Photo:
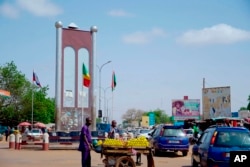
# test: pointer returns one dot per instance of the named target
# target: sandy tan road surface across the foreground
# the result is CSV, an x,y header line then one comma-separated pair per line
x,y
72,158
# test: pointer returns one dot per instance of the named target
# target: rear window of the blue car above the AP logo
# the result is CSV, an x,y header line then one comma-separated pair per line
x,y
233,139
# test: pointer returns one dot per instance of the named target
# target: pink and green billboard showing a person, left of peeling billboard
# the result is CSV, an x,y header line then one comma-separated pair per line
x,y
186,109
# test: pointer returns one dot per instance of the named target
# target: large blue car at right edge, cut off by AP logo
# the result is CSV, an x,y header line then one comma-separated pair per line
x,y
215,143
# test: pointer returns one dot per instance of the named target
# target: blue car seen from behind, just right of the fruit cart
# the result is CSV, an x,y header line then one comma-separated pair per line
x,y
166,138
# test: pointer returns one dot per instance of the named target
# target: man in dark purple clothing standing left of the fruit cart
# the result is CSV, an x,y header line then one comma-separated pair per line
x,y
85,145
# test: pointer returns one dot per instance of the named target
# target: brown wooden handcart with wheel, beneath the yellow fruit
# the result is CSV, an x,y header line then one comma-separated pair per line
x,y
115,156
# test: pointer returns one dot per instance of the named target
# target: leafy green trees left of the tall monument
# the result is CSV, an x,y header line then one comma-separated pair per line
x,y
18,107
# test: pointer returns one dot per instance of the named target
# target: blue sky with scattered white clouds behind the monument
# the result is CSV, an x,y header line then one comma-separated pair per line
x,y
160,50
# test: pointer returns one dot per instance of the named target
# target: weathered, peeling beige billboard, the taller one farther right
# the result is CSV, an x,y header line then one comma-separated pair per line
x,y
216,102
